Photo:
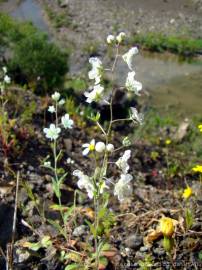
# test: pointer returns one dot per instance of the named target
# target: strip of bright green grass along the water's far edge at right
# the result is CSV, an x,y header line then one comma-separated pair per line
x,y
176,44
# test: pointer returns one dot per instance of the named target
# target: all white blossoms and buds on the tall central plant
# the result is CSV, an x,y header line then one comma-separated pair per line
x,y
122,187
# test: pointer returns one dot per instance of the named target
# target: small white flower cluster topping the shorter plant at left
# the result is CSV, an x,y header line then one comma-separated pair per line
x,y
54,130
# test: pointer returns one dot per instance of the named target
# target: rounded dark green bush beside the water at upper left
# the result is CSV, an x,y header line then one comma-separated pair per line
x,y
43,64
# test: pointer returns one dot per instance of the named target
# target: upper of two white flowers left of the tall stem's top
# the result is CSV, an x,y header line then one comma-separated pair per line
x,y
97,68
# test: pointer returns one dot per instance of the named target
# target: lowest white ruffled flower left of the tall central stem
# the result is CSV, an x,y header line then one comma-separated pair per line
x,y
84,182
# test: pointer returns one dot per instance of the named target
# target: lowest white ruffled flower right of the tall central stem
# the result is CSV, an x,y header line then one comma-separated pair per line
x,y
122,188
